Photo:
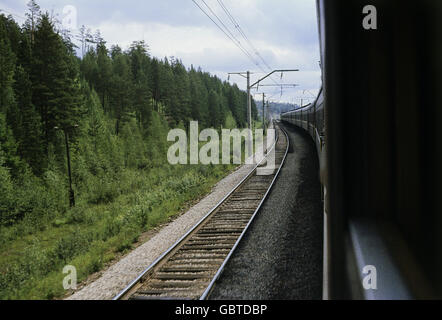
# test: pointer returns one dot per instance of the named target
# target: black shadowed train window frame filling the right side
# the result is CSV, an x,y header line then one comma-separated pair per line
x,y
383,100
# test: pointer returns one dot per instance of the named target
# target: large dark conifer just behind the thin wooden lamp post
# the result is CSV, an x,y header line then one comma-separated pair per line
x,y
55,82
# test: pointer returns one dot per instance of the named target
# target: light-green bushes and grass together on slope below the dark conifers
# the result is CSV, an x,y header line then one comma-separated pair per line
x,y
124,187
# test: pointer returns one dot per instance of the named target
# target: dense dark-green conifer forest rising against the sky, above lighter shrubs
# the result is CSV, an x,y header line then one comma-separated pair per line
x,y
47,89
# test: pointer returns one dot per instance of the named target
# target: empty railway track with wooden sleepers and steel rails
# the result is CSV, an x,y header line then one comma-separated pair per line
x,y
190,268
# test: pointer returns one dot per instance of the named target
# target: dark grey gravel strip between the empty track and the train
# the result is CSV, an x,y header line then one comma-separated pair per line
x,y
280,256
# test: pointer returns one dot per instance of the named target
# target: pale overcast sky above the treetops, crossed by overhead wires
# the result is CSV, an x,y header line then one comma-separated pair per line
x,y
283,31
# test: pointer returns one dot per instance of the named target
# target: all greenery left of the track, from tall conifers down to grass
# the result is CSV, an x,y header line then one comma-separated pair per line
x,y
113,108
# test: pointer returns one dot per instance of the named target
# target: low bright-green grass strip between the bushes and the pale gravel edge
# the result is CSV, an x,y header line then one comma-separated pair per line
x,y
91,235
